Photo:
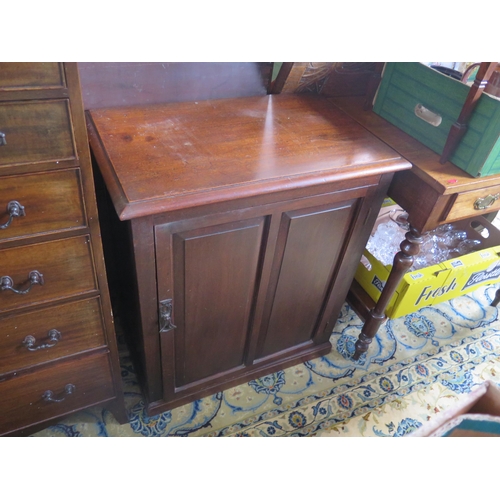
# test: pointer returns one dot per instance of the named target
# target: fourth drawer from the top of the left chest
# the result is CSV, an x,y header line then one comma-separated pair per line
x,y
66,266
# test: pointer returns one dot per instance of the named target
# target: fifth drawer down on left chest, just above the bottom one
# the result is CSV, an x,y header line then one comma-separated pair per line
x,y
56,332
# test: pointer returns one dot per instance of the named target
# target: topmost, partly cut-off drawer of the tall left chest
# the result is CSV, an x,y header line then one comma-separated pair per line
x,y
31,76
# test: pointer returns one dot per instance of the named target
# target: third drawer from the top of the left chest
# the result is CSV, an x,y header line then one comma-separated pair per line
x,y
50,201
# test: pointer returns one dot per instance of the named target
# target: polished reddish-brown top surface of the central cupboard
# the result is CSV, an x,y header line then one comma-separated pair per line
x,y
171,156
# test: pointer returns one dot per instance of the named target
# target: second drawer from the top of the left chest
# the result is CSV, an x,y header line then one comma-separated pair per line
x,y
35,131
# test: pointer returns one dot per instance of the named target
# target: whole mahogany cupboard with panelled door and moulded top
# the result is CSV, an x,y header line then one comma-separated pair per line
x,y
246,220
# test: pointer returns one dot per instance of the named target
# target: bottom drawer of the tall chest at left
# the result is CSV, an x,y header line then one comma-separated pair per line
x,y
23,401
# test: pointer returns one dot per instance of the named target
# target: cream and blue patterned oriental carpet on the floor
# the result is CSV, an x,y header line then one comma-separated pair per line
x,y
417,366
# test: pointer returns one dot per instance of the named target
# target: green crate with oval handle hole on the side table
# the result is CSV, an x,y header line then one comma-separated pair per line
x,y
405,86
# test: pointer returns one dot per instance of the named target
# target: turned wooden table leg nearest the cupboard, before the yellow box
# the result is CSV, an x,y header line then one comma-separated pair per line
x,y
403,260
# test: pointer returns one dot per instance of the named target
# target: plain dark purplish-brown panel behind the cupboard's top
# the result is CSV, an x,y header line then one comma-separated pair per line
x,y
110,84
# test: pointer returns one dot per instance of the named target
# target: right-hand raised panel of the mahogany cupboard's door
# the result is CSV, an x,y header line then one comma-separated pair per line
x,y
309,244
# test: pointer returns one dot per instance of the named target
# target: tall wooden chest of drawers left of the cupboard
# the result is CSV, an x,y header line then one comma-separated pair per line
x,y
58,351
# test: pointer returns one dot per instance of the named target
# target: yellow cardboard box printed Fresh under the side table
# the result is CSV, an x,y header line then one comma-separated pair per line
x,y
437,283
